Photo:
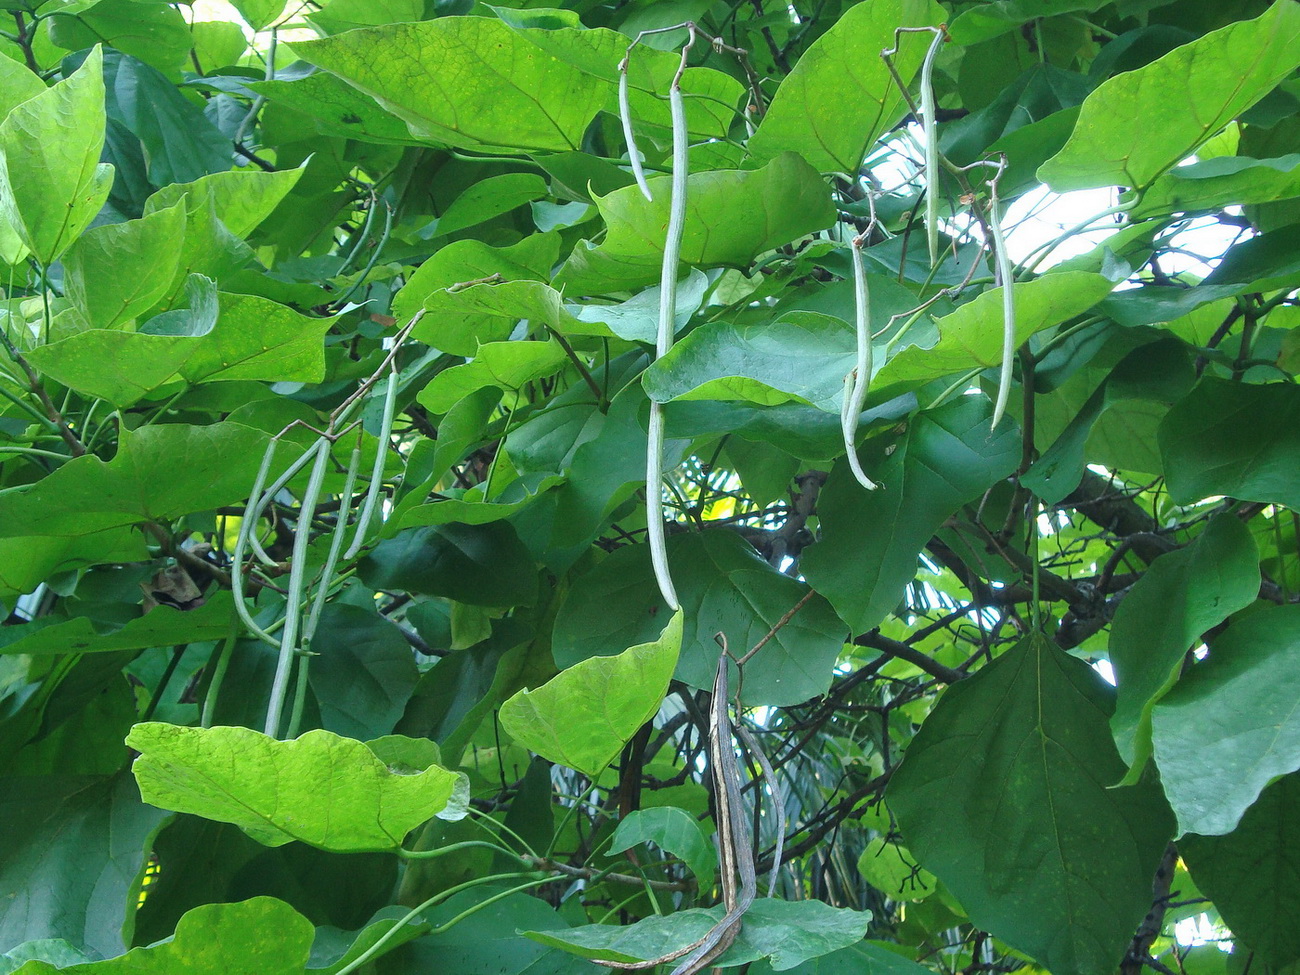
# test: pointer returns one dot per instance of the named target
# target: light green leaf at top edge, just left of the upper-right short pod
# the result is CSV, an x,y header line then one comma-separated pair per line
x,y
811,112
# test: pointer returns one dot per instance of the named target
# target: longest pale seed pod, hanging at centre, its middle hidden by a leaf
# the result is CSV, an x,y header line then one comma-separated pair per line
x,y
668,324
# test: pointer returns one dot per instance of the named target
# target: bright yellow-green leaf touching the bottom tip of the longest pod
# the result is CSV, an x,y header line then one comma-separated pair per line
x,y
584,717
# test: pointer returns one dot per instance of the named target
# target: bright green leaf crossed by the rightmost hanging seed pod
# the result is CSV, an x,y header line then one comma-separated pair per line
x,y
972,336
